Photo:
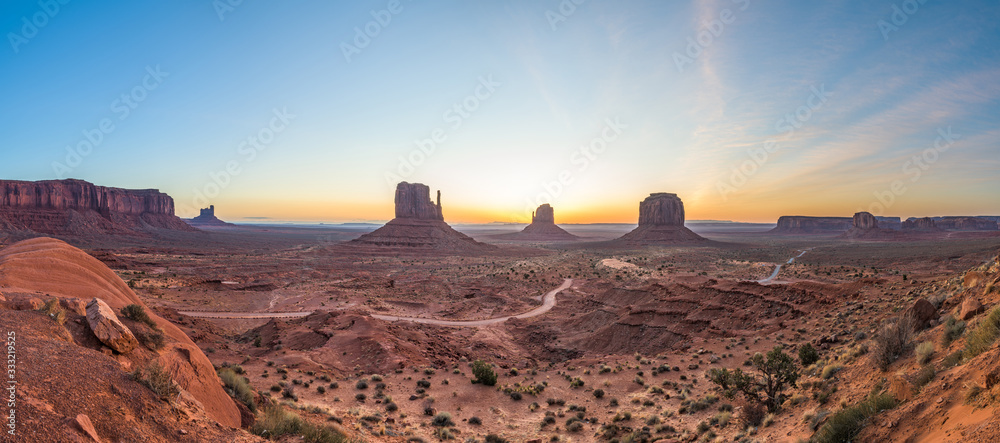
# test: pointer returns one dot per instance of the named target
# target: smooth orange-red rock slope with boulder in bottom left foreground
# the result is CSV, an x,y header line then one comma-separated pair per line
x,y
59,312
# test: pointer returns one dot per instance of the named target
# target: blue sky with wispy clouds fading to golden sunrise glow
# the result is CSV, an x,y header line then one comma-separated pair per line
x,y
313,110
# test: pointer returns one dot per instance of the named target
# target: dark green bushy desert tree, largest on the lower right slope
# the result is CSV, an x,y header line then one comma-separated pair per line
x,y
777,372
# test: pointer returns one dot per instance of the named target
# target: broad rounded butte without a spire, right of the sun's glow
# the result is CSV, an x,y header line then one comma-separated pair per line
x,y
661,221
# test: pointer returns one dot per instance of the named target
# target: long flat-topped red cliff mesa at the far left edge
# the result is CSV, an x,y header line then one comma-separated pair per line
x,y
75,207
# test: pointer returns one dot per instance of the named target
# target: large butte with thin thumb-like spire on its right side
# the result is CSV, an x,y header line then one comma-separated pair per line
x,y
419,224
